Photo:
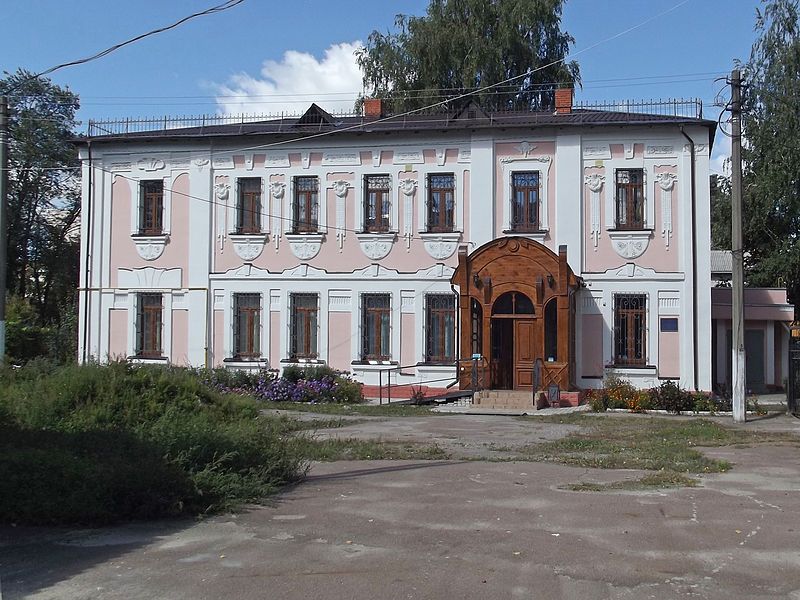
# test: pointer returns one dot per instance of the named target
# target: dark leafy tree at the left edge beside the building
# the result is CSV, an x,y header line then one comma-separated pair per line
x,y
43,193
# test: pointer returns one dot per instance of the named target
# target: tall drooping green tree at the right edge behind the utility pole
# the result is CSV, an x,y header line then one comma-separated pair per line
x,y
771,152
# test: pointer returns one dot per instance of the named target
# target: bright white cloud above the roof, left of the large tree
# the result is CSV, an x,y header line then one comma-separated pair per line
x,y
293,83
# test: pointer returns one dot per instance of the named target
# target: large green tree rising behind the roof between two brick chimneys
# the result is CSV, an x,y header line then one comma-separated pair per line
x,y
468,44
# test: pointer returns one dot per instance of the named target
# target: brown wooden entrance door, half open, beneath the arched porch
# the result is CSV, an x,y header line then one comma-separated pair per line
x,y
514,343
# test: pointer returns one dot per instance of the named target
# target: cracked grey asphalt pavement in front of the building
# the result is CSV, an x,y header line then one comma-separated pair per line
x,y
449,529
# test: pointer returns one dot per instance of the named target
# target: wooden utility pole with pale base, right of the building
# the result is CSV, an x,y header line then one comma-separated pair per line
x,y
737,316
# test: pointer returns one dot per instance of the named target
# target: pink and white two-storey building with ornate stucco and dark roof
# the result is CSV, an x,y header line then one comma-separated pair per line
x,y
257,245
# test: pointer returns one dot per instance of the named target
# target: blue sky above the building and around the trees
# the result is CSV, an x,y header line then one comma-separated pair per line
x,y
178,72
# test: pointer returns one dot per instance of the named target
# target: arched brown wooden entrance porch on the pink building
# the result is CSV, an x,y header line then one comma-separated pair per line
x,y
516,305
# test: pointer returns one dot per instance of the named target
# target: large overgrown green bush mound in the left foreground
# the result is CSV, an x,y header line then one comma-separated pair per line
x,y
123,441
